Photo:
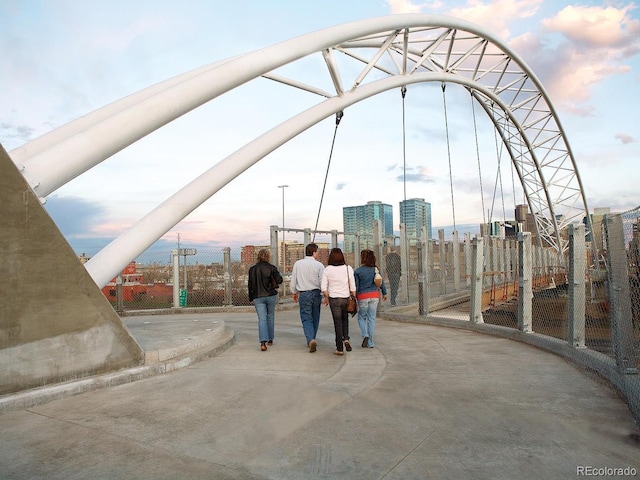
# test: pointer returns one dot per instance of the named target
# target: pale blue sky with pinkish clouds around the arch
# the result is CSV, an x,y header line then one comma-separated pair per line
x,y
63,59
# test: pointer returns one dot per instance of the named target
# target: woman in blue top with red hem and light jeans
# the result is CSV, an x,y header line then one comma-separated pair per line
x,y
368,293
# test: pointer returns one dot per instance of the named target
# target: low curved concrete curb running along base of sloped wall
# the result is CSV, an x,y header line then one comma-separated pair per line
x,y
157,362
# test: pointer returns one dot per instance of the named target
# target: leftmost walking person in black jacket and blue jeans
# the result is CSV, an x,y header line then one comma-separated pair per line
x,y
264,279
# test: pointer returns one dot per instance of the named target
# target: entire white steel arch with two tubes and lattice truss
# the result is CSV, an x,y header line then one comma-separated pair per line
x,y
390,52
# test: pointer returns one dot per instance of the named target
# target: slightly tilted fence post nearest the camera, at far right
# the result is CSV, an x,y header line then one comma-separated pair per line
x,y
619,293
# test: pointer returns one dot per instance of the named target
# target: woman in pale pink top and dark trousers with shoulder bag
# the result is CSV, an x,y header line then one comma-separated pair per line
x,y
337,285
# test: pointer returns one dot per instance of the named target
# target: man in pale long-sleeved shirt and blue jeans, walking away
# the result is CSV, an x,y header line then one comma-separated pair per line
x,y
306,278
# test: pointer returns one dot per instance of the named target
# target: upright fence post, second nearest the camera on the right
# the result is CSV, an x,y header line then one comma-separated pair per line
x,y
576,288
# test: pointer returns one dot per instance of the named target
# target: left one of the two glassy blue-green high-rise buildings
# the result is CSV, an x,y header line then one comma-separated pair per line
x,y
359,220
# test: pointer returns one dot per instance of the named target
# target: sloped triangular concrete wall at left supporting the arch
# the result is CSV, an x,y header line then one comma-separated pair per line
x,y
55,323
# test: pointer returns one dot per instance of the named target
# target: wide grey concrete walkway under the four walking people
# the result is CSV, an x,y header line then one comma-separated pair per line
x,y
427,402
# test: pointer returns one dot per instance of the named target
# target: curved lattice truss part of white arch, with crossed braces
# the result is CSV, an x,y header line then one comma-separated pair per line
x,y
509,93
